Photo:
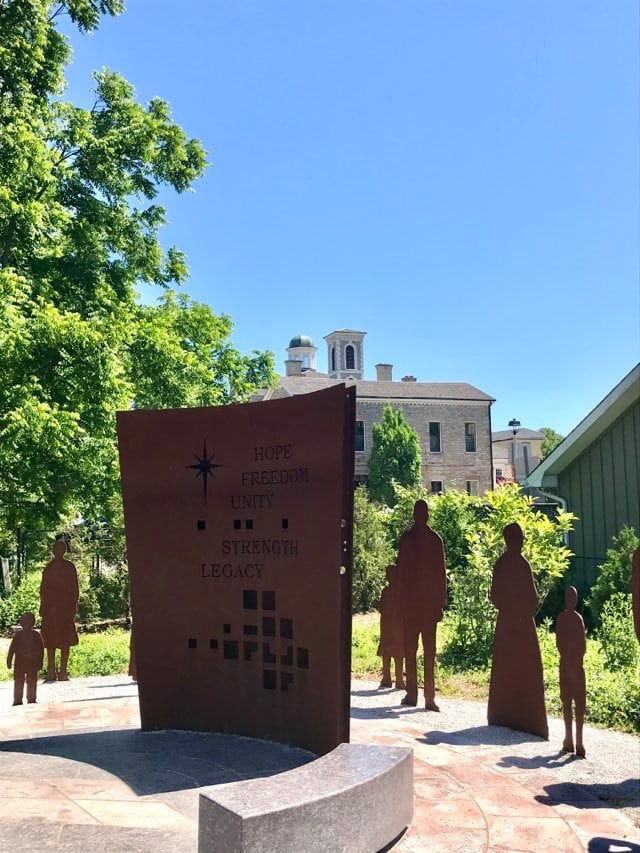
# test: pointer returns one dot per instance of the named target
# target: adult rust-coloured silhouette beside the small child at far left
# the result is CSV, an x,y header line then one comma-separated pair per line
x,y
59,595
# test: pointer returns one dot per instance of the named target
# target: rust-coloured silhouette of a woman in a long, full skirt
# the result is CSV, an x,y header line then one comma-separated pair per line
x,y
516,691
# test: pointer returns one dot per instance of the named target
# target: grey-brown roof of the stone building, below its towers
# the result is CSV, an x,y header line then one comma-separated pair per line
x,y
383,390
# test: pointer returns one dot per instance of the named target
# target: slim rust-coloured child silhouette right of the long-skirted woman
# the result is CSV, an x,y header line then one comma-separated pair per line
x,y
572,644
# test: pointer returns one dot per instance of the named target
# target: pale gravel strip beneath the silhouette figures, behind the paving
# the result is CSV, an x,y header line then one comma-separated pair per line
x,y
611,770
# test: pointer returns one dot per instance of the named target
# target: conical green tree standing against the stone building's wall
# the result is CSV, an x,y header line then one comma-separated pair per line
x,y
395,456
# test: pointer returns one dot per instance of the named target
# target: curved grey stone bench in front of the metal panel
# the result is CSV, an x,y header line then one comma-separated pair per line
x,y
357,799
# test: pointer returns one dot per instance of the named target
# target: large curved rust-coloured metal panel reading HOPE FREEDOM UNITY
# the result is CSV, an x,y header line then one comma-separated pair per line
x,y
238,522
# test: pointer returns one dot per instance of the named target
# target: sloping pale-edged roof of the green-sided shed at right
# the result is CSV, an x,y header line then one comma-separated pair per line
x,y
615,404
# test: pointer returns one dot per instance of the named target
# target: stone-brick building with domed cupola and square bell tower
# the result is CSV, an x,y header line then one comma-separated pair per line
x,y
452,419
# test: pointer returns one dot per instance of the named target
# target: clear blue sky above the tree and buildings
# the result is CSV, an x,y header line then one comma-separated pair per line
x,y
458,179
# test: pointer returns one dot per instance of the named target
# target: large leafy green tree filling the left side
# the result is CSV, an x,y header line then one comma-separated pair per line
x,y
79,232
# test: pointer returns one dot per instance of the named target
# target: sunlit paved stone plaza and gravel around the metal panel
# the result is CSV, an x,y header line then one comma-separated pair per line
x,y
76,774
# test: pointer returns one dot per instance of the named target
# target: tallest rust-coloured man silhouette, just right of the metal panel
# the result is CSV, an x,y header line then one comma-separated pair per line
x,y
423,595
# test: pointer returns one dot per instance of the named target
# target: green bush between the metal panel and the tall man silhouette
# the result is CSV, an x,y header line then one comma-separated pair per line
x,y
372,552
